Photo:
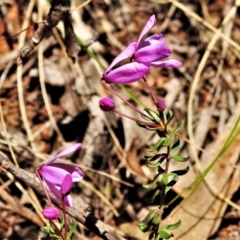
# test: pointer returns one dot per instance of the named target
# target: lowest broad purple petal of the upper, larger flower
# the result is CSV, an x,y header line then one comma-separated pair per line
x,y
127,73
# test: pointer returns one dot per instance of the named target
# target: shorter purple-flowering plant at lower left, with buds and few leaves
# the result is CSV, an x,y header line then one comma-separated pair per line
x,y
59,178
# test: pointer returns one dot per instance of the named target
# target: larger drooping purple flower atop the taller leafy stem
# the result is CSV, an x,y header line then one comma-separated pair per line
x,y
146,53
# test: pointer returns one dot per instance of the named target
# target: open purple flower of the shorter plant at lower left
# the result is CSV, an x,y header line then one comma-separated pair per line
x,y
54,174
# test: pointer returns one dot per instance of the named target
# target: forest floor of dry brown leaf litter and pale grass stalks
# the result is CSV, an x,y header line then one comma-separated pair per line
x,y
48,102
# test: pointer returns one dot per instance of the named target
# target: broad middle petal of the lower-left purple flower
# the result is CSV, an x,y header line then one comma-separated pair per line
x,y
56,172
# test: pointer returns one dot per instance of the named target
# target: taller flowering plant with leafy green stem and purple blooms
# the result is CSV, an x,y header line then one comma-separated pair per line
x,y
151,52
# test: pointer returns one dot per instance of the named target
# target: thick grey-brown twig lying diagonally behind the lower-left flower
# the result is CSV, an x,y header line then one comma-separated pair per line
x,y
79,213
